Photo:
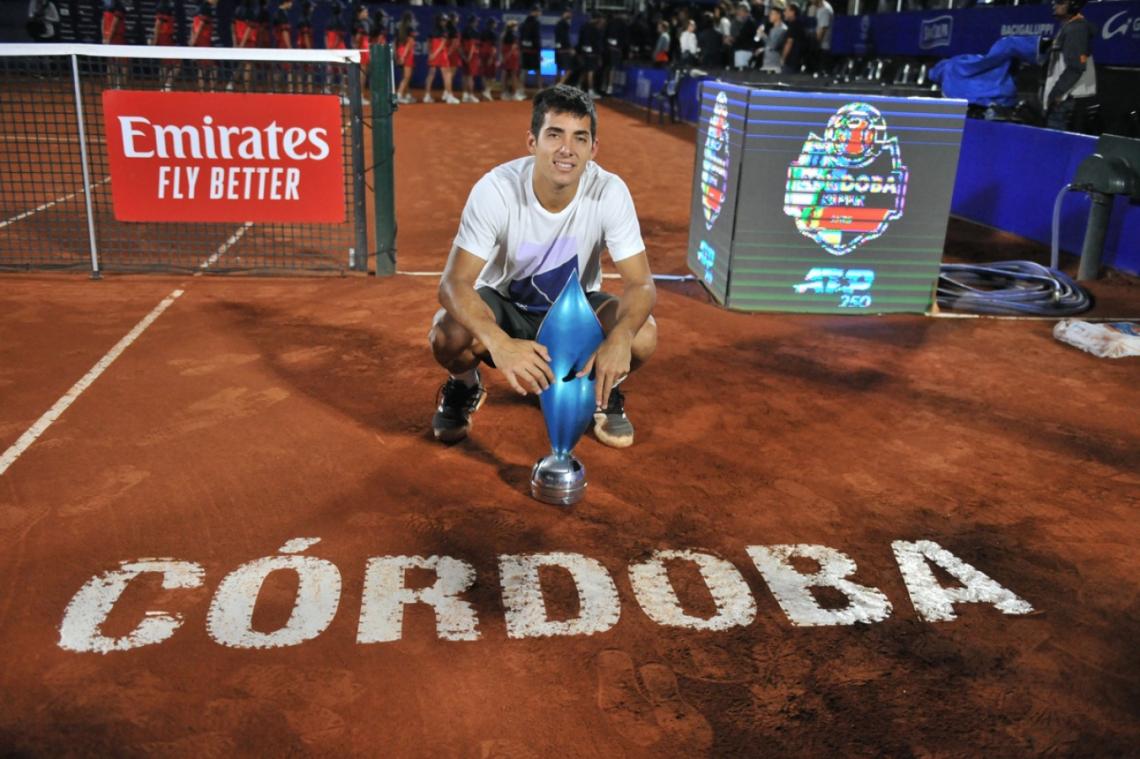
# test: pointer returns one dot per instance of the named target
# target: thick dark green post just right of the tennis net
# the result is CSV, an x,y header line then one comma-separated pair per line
x,y
384,151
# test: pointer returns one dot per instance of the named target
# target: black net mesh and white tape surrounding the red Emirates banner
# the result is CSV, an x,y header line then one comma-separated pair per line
x,y
55,181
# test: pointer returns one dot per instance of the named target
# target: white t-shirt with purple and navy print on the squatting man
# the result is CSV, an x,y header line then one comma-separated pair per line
x,y
531,252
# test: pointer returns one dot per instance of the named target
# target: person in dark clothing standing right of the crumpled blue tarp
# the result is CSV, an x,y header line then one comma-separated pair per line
x,y
1071,77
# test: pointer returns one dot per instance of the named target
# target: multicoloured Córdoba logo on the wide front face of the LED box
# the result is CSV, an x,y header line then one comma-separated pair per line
x,y
846,187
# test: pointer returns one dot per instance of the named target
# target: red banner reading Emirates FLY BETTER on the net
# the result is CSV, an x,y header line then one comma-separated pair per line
x,y
203,157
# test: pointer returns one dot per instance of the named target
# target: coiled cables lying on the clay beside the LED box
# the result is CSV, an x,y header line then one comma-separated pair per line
x,y
1011,288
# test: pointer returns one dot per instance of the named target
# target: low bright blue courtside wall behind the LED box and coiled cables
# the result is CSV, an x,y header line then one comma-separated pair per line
x,y
1008,177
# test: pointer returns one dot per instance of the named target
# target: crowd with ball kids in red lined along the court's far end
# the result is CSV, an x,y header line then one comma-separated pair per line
x,y
473,59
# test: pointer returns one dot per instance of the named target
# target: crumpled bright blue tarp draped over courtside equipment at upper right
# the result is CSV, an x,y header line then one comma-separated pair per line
x,y
987,80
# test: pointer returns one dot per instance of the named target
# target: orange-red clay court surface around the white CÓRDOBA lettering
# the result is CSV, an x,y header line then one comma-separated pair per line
x,y
258,411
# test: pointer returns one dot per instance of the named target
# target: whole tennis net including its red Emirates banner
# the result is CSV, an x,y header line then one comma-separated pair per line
x,y
129,159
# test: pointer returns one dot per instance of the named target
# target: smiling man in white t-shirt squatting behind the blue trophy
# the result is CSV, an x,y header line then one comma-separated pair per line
x,y
528,227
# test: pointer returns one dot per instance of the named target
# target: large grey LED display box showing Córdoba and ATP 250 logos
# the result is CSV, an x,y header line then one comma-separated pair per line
x,y
826,203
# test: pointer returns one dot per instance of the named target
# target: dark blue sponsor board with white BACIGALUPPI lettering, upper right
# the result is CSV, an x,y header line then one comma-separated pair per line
x,y
948,34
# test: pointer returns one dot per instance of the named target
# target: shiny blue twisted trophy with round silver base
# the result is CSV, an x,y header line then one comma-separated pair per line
x,y
572,333
